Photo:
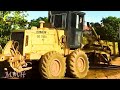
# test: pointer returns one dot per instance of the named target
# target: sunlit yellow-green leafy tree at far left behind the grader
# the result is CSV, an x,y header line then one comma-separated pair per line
x,y
10,20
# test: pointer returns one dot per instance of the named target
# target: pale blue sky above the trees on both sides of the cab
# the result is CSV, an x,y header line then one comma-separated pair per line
x,y
91,16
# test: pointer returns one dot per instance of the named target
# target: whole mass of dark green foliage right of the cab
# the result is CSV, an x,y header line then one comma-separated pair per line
x,y
109,28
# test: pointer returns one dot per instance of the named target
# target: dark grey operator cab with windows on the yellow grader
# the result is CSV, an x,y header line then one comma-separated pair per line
x,y
72,22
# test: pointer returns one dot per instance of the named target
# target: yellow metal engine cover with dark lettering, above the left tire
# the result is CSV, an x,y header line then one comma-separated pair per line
x,y
41,41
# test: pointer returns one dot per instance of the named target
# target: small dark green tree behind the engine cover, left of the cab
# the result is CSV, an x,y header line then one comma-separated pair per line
x,y
35,22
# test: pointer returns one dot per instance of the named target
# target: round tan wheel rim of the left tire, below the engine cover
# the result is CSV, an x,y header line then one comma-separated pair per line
x,y
55,67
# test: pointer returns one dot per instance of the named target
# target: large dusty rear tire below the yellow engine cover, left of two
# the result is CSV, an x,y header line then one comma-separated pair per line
x,y
52,66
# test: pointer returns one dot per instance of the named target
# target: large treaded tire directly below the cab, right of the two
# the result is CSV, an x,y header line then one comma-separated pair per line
x,y
77,64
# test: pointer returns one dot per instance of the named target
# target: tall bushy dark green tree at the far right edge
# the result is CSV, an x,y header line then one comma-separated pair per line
x,y
111,27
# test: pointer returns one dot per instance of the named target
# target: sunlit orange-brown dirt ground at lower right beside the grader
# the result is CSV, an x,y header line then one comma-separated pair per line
x,y
105,73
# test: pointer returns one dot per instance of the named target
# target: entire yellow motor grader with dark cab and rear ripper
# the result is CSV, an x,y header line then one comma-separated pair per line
x,y
57,49
